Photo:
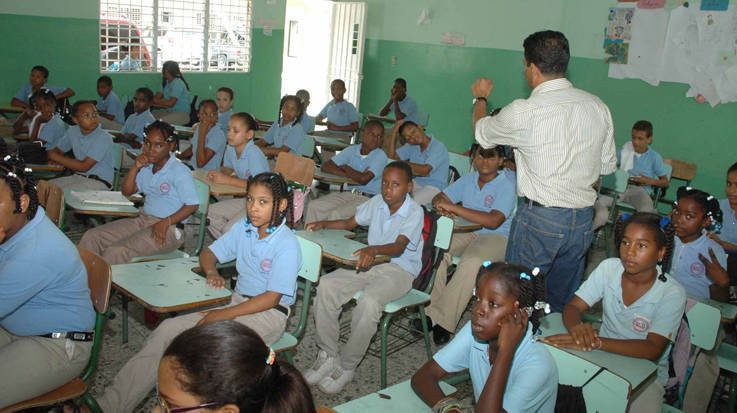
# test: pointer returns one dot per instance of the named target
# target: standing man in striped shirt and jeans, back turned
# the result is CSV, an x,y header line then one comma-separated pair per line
x,y
563,140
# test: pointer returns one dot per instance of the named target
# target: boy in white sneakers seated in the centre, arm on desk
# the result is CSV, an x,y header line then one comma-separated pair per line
x,y
395,229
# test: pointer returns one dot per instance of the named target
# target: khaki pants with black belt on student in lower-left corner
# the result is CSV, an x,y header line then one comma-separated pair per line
x,y
33,366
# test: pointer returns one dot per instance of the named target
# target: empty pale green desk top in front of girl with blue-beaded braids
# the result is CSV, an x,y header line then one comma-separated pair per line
x,y
166,286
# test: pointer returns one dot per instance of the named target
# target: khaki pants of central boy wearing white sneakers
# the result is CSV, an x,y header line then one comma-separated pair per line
x,y
380,284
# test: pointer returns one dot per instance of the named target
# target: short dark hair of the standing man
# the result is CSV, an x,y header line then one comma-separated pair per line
x,y
548,50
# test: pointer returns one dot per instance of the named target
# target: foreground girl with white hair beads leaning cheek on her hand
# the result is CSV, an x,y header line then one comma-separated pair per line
x,y
510,370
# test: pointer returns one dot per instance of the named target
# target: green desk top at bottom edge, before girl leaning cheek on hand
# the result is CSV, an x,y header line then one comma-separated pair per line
x,y
401,399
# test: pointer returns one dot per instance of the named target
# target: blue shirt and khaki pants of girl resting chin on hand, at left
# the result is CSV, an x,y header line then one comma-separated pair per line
x,y
166,192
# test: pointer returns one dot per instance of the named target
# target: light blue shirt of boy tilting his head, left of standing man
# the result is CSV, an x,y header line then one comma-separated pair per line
x,y
435,155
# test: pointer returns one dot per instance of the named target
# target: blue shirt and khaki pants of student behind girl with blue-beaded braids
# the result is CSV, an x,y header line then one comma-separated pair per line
x,y
251,162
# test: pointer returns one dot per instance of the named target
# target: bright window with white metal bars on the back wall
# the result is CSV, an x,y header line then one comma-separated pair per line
x,y
200,35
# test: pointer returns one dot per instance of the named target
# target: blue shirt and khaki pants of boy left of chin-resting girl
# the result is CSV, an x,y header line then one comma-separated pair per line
x,y
98,145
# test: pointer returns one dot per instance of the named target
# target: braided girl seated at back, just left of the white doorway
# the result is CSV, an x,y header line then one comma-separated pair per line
x,y
286,133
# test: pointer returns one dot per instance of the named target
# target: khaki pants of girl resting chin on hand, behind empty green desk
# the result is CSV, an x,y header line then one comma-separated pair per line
x,y
121,240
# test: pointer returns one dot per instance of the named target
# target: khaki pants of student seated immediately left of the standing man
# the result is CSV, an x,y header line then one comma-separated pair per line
x,y
449,299
